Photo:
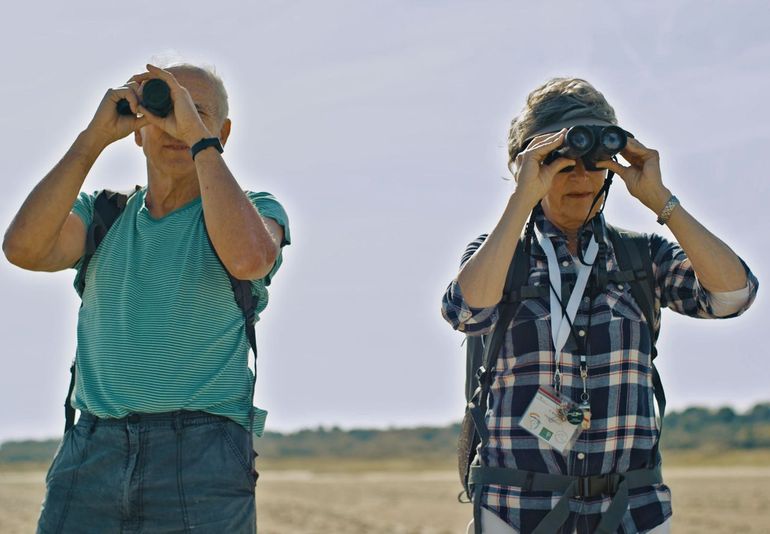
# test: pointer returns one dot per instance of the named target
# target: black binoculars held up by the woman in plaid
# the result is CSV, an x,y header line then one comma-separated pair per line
x,y
591,143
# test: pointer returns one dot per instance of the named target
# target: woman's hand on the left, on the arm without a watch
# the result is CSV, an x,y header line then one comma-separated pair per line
x,y
533,179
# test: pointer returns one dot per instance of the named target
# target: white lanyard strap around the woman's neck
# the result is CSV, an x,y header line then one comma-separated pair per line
x,y
562,317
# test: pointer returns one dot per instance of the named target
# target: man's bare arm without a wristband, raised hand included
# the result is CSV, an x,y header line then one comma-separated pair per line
x,y
44,235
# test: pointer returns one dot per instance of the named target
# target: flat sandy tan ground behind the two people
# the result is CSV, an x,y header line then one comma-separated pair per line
x,y
712,500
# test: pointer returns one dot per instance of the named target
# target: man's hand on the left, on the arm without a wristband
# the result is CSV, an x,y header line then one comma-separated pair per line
x,y
108,125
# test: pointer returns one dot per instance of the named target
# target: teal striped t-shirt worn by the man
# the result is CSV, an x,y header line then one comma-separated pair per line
x,y
159,329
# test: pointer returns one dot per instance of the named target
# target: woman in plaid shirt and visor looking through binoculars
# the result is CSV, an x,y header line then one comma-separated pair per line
x,y
568,430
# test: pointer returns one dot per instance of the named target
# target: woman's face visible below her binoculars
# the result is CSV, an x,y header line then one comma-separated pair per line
x,y
569,199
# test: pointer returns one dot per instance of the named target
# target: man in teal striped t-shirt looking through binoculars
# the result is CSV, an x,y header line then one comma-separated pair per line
x,y
174,283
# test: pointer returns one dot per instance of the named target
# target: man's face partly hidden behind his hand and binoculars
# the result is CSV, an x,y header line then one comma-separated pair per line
x,y
168,155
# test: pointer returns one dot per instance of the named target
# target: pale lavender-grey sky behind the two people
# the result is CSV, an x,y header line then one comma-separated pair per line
x,y
381,127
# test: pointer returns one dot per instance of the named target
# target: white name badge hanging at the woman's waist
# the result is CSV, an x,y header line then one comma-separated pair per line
x,y
553,419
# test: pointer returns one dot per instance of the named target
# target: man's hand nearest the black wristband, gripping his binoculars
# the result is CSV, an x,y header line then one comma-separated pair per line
x,y
184,123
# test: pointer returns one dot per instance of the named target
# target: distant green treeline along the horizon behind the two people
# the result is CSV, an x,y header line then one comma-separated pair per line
x,y
692,429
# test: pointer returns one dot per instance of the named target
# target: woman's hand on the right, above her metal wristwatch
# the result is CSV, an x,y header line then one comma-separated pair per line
x,y
642,176
